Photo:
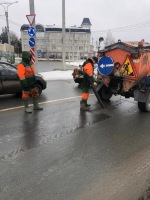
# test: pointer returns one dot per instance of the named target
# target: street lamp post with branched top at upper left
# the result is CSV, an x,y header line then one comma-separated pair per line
x,y
6,14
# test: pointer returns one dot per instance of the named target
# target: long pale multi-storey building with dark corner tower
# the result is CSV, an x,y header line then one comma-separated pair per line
x,y
49,40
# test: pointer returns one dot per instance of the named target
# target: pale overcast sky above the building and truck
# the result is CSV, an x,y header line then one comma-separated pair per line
x,y
128,20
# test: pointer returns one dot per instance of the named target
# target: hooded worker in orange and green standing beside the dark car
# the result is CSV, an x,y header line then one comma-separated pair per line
x,y
26,75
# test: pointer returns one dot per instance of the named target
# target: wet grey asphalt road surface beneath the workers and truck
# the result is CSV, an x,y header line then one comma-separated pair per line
x,y
61,153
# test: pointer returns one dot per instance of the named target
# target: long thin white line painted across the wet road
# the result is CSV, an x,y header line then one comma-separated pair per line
x,y
45,102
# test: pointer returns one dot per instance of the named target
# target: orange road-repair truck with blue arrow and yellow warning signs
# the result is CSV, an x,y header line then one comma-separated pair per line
x,y
125,70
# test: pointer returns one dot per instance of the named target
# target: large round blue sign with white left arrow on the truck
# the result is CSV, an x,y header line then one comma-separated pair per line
x,y
105,65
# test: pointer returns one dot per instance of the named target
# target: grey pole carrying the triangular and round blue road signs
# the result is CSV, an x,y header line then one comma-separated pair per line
x,y
32,12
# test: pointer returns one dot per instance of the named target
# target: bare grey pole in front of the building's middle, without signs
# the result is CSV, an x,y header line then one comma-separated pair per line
x,y
63,34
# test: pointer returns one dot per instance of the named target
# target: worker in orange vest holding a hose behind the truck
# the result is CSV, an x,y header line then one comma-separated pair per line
x,y
88,68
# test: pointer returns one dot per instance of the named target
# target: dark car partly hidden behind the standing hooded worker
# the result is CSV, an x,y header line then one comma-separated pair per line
x,y
9,80
